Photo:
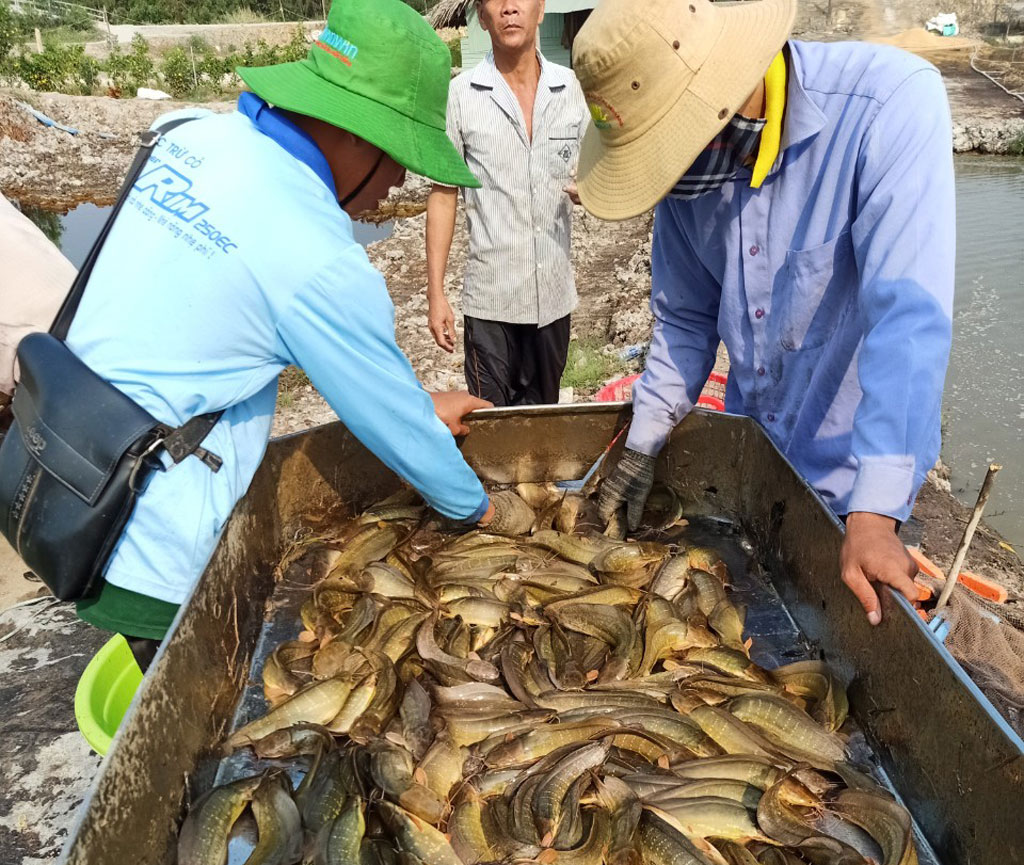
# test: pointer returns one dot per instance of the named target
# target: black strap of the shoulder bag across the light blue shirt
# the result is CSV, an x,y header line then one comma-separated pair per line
x,y
185,441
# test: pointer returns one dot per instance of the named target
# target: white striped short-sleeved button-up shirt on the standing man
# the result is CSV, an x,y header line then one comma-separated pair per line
x,y
521,222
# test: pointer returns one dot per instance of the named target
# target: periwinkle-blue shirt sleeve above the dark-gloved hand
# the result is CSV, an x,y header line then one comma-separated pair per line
x,y
685,300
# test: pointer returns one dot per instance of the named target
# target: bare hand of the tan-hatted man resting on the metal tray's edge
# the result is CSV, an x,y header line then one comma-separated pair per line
x,y
874,553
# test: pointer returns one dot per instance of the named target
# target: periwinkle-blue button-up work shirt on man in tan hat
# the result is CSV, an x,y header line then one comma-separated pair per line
x,y
832,286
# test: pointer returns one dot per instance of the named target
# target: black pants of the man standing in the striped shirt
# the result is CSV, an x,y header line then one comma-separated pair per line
x,y
516,365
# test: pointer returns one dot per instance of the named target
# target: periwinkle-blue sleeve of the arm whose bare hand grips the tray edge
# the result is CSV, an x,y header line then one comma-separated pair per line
x,y
905,239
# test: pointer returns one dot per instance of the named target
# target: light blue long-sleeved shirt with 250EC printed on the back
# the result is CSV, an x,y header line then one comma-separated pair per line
x,y
231,261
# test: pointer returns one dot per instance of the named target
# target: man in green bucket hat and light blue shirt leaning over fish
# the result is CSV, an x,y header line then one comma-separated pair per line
x,y
235,258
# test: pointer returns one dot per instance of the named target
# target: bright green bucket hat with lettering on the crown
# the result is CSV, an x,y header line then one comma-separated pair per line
x,y
379,71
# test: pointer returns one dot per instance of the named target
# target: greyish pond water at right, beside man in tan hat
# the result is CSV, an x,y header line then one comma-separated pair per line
x,y
984,410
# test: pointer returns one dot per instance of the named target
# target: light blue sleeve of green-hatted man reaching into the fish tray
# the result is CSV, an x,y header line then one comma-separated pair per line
x,y
339,328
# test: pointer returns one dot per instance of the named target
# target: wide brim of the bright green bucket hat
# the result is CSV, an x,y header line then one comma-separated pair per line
x,y
423,150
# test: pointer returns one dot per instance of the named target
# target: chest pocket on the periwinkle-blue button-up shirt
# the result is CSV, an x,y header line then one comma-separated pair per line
x,y
820,282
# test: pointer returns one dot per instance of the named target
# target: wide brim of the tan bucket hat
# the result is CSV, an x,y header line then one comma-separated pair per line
x,y
619,183
